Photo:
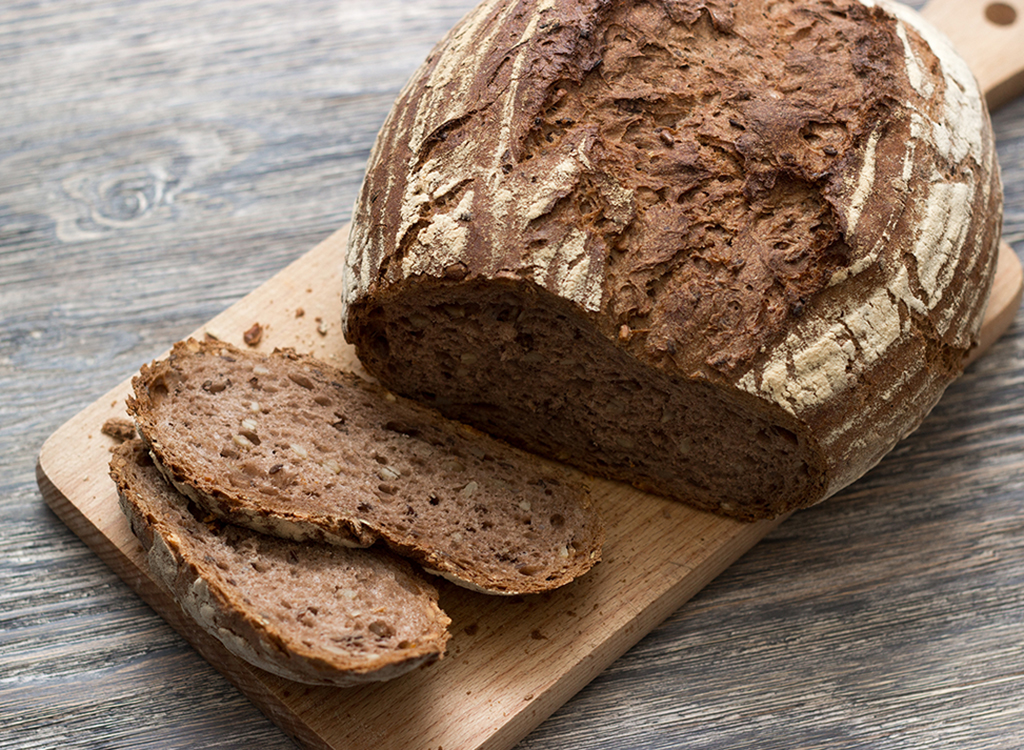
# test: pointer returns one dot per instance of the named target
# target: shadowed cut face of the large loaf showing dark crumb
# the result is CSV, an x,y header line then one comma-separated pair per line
x,y
523,365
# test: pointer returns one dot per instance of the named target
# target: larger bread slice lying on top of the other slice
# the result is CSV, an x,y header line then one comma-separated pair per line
x,y
289,446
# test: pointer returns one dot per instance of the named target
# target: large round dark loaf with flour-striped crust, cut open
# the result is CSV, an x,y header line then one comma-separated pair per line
x,y
729,253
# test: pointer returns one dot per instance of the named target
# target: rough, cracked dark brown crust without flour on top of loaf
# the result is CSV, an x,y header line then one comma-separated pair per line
x,y
732,233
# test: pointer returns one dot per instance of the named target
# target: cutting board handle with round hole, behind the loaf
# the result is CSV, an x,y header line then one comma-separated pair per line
x,y
990,35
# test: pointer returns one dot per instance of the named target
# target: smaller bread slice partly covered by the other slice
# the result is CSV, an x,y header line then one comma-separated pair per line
x,y
312,613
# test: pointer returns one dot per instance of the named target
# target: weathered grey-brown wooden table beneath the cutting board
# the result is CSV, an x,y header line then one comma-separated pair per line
x,y
162,159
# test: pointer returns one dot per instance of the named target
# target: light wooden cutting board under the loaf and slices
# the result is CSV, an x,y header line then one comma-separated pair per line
x,y
511,662
